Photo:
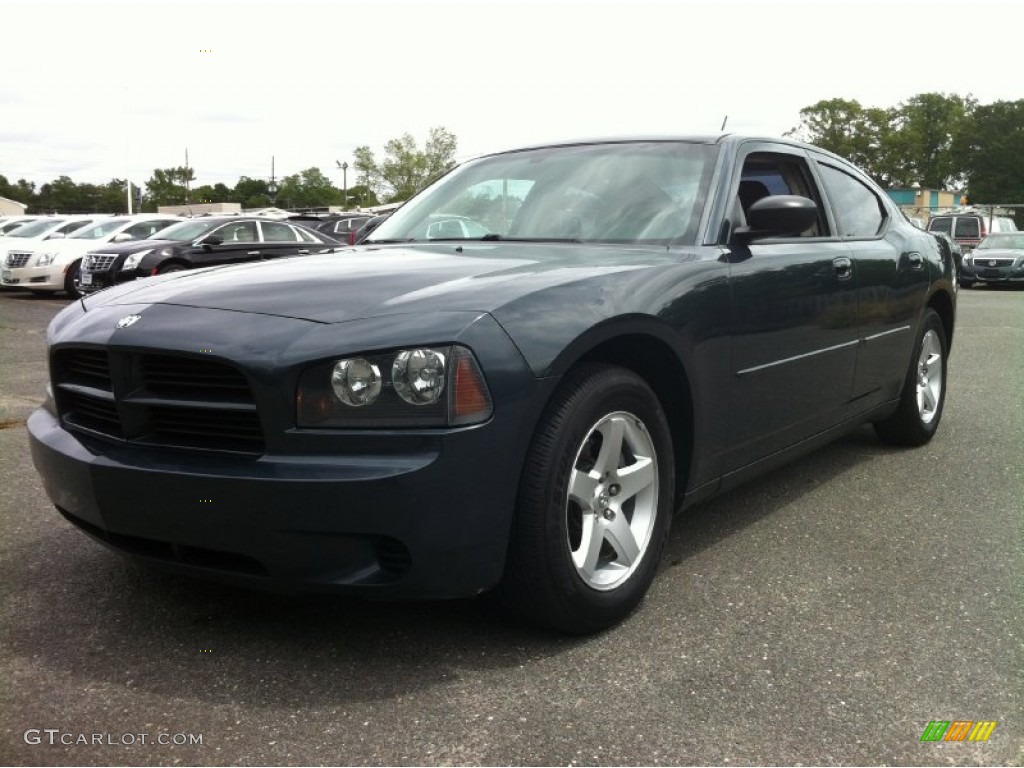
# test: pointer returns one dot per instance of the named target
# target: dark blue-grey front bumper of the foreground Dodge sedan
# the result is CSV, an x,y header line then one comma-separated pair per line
x,y
385,514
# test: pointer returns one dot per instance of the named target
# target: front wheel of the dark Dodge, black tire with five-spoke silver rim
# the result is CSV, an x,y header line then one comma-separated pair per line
x,y
543,584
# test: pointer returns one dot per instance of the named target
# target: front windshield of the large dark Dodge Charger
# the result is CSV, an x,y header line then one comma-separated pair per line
x,y
644,193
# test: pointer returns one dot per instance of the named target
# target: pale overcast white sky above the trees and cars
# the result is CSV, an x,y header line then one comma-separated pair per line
x,y
102,91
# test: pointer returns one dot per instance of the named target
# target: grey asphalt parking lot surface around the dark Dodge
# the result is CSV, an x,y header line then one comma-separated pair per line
x,y
824,615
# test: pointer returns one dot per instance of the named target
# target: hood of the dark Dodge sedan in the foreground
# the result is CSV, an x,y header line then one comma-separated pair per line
x,y
391,280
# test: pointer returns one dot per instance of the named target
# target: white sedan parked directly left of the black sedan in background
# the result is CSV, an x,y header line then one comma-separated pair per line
x,y
56,266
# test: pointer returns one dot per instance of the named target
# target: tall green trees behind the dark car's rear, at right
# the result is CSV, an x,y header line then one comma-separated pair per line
x,y
937,141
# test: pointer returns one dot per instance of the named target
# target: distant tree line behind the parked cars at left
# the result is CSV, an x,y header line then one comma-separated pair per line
x,y
403,170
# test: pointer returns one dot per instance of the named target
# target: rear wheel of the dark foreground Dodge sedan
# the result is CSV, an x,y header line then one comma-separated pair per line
x,y
920,411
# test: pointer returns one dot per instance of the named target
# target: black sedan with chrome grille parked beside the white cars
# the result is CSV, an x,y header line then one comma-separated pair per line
x,y
197,243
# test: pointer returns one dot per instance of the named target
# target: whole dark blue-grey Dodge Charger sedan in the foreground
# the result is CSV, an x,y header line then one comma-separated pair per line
x,y
513,386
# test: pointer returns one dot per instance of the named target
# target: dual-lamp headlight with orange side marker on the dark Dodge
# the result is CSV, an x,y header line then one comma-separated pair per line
x,y
418,388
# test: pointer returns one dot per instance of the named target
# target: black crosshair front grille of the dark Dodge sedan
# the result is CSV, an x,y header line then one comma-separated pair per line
x,y
174,401
